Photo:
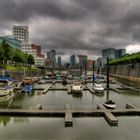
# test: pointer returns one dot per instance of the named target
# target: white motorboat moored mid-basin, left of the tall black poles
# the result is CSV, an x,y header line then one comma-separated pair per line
x,y
76,87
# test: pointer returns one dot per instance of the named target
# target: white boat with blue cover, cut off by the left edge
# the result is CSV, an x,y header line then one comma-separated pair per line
x,y
6,87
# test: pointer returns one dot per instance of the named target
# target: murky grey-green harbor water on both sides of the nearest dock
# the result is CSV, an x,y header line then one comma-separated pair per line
x,y
84,128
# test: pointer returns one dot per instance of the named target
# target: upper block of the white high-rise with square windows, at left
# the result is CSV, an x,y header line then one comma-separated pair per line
x,y
21,33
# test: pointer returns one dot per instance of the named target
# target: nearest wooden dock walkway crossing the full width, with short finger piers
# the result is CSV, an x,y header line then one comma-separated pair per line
x,y
68,112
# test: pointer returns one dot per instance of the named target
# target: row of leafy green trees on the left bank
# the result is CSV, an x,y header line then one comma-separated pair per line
x,y
9,55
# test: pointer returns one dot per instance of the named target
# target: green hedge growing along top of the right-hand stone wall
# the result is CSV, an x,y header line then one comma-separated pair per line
x,y
128,59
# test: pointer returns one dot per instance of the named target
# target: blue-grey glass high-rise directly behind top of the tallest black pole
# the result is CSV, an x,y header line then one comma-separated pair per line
x,y
108,53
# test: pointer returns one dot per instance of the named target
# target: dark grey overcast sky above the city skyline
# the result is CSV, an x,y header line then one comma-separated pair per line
x,y
75,26
